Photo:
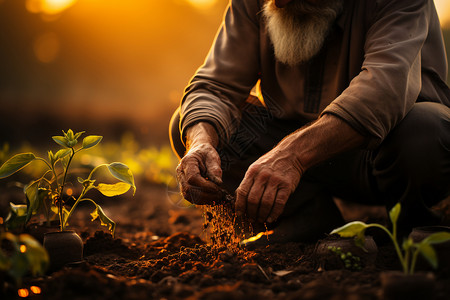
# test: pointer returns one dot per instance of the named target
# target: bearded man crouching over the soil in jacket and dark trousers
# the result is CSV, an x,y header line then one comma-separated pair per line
x,y
354,105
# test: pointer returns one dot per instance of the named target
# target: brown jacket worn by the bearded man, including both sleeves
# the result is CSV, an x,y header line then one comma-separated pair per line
x,y
379,59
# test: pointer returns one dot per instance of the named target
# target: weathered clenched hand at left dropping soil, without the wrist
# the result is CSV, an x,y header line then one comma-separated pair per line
x,y
199,174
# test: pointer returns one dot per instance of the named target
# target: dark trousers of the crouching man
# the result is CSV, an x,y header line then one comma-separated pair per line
x,y
411,166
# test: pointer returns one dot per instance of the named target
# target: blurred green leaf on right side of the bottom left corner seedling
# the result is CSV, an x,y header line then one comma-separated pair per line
x,y
36,255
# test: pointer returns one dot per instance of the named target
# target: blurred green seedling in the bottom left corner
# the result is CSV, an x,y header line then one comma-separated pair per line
x,y
20,255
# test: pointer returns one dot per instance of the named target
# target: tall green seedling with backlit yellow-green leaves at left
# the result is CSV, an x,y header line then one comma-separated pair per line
x,y
46,193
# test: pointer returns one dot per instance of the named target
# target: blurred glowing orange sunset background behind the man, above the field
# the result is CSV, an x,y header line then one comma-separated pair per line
x,y
110,67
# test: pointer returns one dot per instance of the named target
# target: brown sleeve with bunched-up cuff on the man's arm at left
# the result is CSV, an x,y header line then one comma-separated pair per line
x,y
230,71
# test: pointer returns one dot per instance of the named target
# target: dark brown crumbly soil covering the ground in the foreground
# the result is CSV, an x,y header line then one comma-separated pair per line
x,y
161,251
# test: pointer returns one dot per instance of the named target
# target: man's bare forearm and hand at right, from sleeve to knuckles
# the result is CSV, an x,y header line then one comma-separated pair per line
x,y
271,179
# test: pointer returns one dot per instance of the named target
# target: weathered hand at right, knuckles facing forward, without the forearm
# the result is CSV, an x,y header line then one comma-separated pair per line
x,y
267,185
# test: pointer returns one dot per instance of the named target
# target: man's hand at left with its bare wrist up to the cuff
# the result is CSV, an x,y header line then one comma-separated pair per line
x,y
199,172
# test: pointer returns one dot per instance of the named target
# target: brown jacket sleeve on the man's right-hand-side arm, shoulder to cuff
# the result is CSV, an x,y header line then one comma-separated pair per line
x,y
389,83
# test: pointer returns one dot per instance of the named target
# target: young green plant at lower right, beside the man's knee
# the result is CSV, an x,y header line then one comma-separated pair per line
x,y
411,250
